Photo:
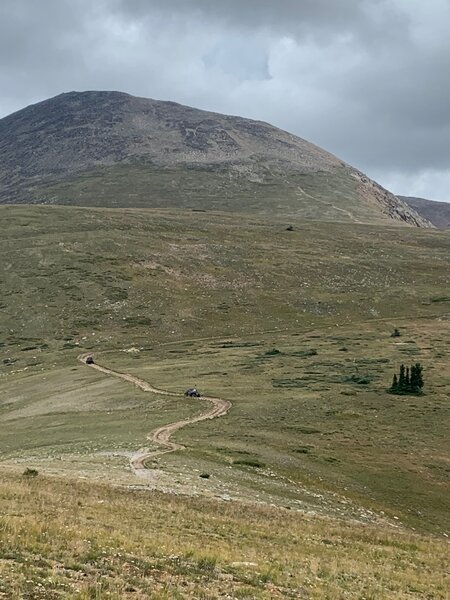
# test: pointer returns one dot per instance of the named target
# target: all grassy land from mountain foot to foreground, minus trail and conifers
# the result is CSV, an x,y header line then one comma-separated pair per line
x,y
294,327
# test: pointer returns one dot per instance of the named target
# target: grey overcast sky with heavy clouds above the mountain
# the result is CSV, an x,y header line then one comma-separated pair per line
x,y
368,80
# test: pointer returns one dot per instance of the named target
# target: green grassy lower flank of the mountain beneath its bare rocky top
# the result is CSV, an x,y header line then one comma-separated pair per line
x,y
321,195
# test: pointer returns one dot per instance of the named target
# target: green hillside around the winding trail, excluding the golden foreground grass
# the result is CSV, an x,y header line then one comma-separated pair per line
x,y
292,326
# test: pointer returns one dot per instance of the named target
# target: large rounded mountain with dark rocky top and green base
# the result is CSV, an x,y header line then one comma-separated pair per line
x,y
113,149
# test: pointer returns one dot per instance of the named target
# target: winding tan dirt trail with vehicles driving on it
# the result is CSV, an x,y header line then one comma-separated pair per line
x,y
163,434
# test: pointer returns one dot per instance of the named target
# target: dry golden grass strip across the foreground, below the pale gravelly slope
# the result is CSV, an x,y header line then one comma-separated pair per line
x,y
62,539
